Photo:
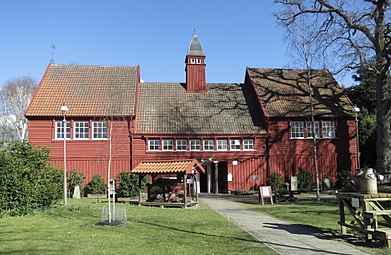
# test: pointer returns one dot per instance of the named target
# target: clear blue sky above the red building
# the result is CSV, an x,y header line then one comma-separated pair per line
x,y
152,34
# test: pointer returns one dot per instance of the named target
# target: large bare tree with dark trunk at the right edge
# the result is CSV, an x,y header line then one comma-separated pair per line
x,y
352,33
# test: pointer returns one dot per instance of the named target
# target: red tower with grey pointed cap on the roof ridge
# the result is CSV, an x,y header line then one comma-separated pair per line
x,y
195,67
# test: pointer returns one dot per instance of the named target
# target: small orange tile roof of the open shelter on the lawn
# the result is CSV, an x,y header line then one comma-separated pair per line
x,y
161,167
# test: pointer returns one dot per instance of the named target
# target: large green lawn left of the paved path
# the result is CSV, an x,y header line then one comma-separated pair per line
x,y
74,230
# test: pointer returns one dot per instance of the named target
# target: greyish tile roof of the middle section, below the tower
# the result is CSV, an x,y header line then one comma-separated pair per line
x,y
166,108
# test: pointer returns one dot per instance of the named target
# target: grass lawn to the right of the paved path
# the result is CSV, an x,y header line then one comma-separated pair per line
x,y
322,215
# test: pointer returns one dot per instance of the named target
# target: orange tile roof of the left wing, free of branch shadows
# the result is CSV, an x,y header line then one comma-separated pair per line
x,y
86,90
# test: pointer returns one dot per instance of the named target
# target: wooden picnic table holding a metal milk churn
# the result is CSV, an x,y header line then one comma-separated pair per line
x,y
365,209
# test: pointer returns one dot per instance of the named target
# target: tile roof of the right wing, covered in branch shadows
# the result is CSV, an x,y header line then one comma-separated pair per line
x,y
285,92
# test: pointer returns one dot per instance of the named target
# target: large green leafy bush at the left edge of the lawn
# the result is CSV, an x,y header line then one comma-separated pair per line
x,y
27,182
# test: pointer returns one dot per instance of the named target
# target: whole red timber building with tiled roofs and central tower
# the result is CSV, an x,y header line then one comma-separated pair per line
x,y
240,132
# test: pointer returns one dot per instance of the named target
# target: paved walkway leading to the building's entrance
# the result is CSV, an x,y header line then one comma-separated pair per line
x,y
282,236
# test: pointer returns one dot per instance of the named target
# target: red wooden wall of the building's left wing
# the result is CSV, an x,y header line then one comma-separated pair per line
x,y
87,156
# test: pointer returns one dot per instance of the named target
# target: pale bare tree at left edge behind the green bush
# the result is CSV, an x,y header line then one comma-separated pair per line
x,y
14,100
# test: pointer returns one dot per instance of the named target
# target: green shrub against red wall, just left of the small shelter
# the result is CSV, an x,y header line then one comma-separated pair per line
x,y
127,184
